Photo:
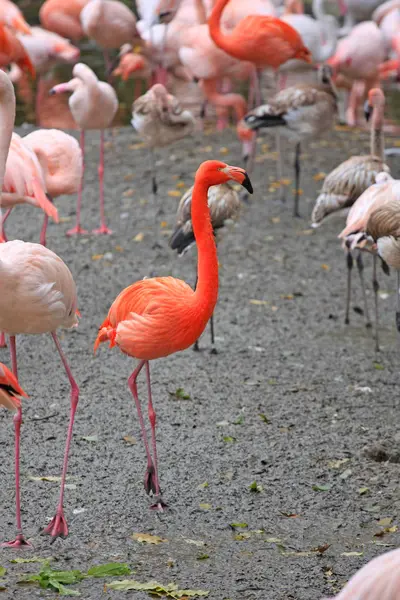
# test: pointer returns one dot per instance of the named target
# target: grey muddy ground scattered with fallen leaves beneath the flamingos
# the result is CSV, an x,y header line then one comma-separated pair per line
x,y
295,400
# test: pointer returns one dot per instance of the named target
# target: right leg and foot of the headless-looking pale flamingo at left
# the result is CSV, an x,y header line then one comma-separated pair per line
x,y
58,525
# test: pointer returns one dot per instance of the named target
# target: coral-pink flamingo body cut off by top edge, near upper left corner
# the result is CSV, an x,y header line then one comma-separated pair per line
x,y
63,17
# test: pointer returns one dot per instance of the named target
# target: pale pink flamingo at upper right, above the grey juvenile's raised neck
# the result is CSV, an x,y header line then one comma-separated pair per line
x,y
358,57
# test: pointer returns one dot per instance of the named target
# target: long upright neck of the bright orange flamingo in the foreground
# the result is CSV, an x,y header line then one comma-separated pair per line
x,y
206,293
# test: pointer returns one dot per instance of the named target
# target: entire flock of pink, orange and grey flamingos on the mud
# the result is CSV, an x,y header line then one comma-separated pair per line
x,y
223,51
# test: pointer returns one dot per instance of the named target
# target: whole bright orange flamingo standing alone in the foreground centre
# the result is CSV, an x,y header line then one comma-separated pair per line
x,y
162,315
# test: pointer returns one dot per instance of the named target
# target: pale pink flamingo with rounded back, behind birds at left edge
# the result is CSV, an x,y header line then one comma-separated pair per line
x,y
60,157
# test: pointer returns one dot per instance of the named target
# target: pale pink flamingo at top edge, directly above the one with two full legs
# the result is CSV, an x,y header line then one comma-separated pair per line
x,y
110,24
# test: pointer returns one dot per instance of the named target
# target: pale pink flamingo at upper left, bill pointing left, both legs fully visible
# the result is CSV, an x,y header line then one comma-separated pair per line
x,y
93,105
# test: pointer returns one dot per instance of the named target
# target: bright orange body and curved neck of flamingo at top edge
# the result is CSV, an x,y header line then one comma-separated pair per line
x,y
264,41
